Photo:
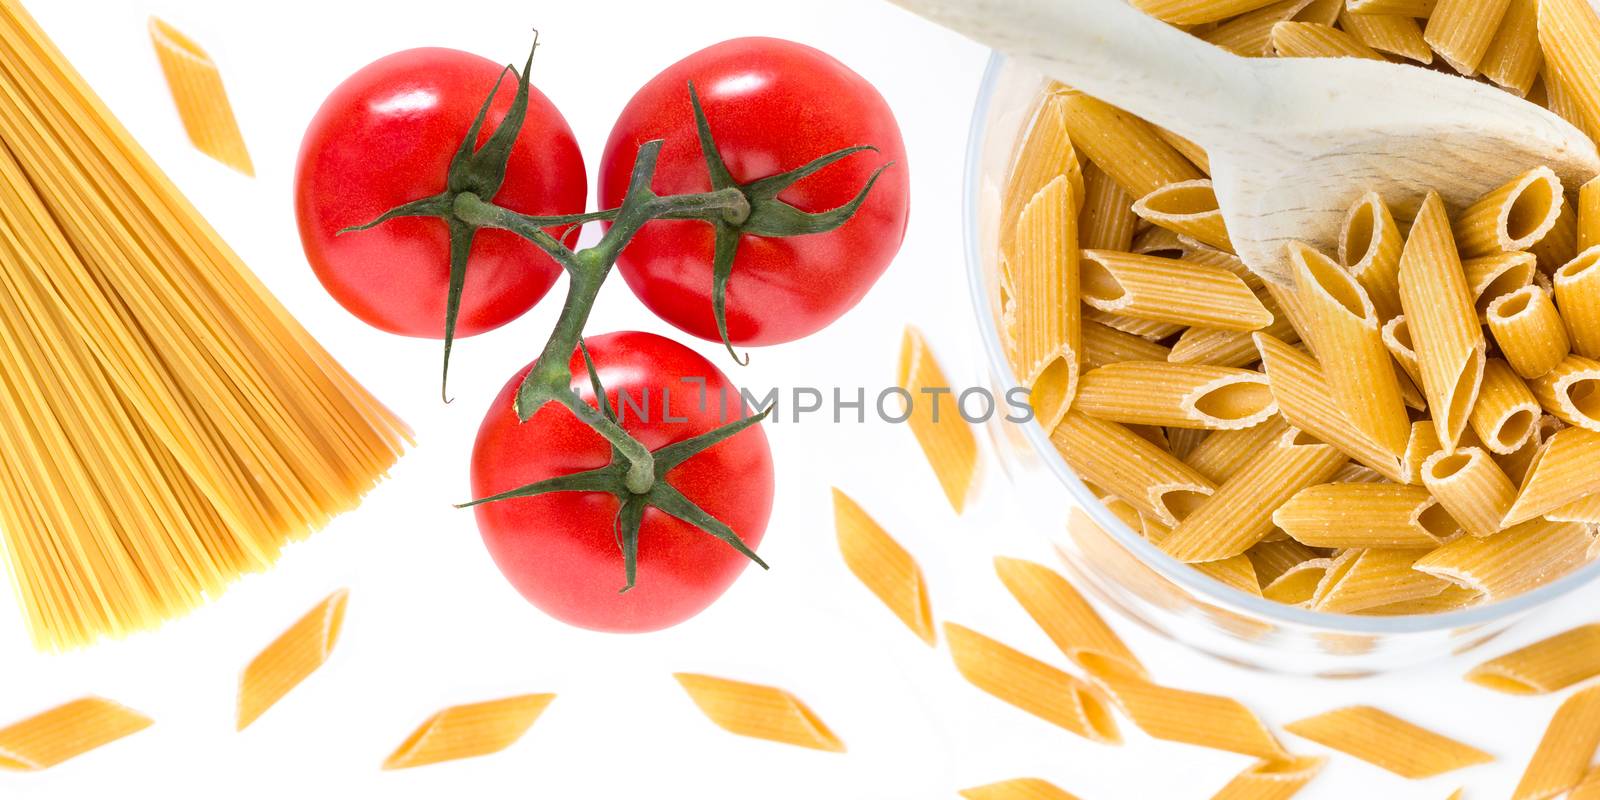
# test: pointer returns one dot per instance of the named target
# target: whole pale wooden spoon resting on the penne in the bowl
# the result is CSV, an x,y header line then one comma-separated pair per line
x,y
1294,143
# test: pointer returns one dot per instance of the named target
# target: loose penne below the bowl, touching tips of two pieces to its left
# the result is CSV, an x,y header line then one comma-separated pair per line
x,y
1190,718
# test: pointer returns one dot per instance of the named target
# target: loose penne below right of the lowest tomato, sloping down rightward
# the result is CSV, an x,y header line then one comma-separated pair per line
x,y
759,713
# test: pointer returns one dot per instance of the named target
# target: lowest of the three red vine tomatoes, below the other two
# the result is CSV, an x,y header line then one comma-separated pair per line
x,y
561,551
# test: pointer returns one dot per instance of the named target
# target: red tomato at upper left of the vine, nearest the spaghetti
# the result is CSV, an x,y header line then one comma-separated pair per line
x,y
385,138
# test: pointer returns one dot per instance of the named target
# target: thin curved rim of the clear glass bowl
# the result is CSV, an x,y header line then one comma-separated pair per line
x,y
1170,569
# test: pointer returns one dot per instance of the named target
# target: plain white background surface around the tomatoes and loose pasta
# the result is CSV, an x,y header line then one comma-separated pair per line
x,y
431,623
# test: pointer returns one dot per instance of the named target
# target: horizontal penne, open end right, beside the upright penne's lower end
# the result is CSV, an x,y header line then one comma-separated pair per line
x,y
1177,396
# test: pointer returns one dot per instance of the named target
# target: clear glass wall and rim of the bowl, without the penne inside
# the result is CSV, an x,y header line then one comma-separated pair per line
x,y
1119,567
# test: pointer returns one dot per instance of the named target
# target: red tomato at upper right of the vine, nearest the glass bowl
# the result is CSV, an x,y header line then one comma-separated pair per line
x,y
774,106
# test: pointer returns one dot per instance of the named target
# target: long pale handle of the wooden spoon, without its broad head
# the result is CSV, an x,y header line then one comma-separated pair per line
x,y
1111,50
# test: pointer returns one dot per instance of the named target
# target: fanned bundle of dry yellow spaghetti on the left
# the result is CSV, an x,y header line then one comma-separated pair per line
x,y
166,425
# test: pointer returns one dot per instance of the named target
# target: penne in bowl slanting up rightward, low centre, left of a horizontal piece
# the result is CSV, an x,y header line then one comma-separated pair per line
x,y
1239,514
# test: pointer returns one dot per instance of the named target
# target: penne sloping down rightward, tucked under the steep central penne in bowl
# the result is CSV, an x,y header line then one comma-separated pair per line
x,y
1308,404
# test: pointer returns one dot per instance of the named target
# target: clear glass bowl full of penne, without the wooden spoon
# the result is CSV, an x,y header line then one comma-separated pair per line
x,y
1390,455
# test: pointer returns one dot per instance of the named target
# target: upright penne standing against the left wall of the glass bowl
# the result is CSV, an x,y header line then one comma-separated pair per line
x,y
1047,330
